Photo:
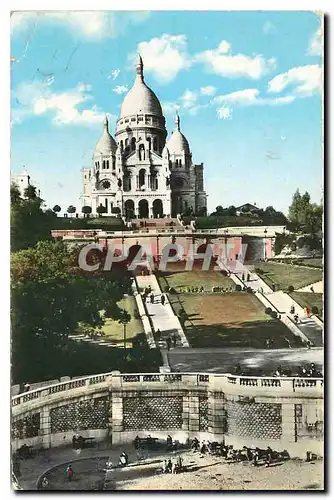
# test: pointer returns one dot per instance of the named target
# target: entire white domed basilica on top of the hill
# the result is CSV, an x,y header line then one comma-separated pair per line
x,y
140,173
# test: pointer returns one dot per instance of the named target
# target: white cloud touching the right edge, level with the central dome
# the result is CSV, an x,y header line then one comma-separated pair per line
x,y
307,80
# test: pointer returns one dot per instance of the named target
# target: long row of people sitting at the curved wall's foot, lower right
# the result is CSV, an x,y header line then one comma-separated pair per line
x,y
253,454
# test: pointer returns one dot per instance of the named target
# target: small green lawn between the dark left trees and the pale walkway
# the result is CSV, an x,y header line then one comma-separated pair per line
x,y
113,331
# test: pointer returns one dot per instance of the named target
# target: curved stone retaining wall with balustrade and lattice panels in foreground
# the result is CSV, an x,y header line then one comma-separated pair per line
x,y
284,413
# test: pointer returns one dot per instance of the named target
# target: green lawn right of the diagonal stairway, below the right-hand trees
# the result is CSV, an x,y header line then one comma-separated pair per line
x,y
284,275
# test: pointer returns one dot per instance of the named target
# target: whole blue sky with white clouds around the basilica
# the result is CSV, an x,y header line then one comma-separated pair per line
x,y
247,86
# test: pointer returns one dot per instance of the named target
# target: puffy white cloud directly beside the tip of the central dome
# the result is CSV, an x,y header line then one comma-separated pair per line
x,y
164,57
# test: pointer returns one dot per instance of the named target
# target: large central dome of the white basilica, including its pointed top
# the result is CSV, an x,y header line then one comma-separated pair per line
x,y
140,99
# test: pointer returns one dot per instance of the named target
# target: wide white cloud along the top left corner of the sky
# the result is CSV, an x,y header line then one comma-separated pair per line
x,y
94,25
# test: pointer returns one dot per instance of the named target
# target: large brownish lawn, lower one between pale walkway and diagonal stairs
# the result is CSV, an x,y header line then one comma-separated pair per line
x,y
234,319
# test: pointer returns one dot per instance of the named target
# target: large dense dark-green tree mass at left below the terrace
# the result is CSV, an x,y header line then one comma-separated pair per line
x,y
50,295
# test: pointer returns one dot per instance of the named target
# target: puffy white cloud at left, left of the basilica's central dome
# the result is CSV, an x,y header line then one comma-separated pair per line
x,y
36,99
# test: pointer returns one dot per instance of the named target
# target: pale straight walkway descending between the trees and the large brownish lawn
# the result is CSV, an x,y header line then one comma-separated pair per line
x,y
162,316
